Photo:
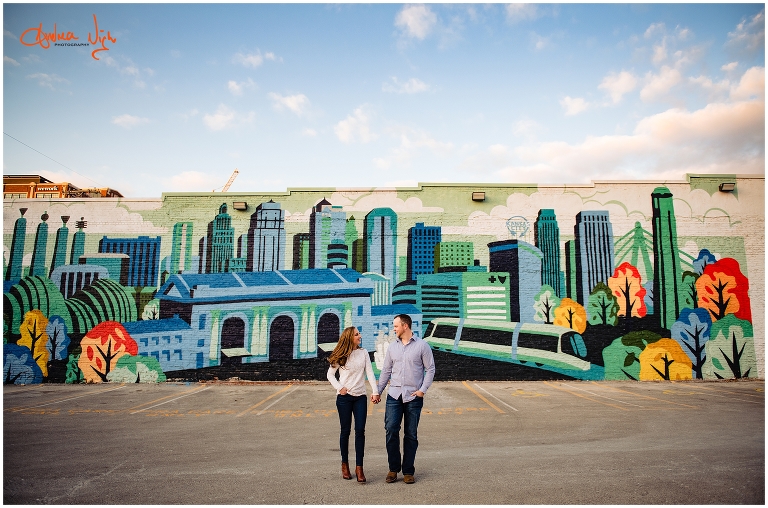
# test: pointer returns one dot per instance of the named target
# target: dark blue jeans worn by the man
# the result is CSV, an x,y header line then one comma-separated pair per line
x,y
396,412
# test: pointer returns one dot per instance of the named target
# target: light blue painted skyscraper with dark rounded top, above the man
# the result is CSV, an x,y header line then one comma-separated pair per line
x,y
381,242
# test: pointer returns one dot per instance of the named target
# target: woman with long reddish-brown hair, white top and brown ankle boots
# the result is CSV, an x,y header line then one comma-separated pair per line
x,y
353,363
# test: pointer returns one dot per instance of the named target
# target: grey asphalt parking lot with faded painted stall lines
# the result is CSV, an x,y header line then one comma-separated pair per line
x,y
551,442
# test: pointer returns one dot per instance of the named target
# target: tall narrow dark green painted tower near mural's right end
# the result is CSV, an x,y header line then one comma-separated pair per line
x,y
666,259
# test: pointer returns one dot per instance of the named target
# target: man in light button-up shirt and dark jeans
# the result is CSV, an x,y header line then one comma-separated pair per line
x,y
409,367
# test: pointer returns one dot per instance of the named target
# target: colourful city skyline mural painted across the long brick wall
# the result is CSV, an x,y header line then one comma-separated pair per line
x,y
630,281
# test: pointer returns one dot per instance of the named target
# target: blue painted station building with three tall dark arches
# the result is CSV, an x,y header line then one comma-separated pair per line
x,y
268,316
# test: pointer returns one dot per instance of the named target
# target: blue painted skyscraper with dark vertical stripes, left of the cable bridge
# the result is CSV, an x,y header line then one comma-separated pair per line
x,y
594,251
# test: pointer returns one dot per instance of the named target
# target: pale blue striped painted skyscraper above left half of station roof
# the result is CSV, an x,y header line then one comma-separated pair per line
x,y
266,239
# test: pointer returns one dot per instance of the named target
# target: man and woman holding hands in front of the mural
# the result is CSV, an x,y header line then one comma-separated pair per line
x,y
409,368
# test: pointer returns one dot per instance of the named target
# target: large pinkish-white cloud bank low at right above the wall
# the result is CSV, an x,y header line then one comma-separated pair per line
x,y
719,138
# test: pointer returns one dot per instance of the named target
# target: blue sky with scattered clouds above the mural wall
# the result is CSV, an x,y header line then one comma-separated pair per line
x,y
178,96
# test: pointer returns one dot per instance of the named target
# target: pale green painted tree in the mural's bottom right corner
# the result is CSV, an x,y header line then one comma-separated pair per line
x,y
730,350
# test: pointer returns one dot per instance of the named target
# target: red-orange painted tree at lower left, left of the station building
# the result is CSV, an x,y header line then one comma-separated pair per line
x,y
102,348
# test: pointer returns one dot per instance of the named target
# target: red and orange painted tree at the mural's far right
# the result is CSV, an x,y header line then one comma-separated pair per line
x,y
723,290
